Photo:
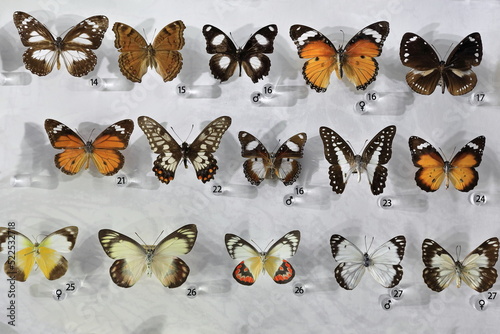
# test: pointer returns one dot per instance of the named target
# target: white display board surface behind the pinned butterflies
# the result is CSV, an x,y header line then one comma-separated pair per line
x,y
93,202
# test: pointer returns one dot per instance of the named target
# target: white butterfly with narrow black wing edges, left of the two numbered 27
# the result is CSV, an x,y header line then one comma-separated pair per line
x,y
383,264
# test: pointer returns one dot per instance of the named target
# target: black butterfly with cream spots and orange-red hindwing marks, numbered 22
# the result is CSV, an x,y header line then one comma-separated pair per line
x,y
170,153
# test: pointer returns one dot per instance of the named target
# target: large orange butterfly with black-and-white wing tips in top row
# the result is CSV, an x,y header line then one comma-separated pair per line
x,y
356,60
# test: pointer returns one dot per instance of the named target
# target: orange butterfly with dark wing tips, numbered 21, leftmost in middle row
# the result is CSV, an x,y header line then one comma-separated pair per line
x,y
78,153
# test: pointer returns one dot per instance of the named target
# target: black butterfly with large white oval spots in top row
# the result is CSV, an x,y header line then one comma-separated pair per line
x,y
226,56
